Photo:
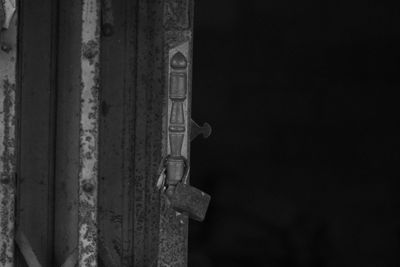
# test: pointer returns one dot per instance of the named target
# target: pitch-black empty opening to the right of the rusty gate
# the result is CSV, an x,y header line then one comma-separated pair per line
x,y
303,161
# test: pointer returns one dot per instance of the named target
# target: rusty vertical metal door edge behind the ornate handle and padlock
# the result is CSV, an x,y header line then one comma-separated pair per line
x,y
178,39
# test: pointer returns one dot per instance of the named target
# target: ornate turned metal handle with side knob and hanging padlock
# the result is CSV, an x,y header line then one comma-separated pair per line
x,y
174,169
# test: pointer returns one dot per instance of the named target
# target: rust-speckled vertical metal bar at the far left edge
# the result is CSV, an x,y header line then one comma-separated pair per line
x,y
7,143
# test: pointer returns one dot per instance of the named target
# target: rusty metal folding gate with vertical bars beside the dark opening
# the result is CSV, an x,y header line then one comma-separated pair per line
x,y
94,95
